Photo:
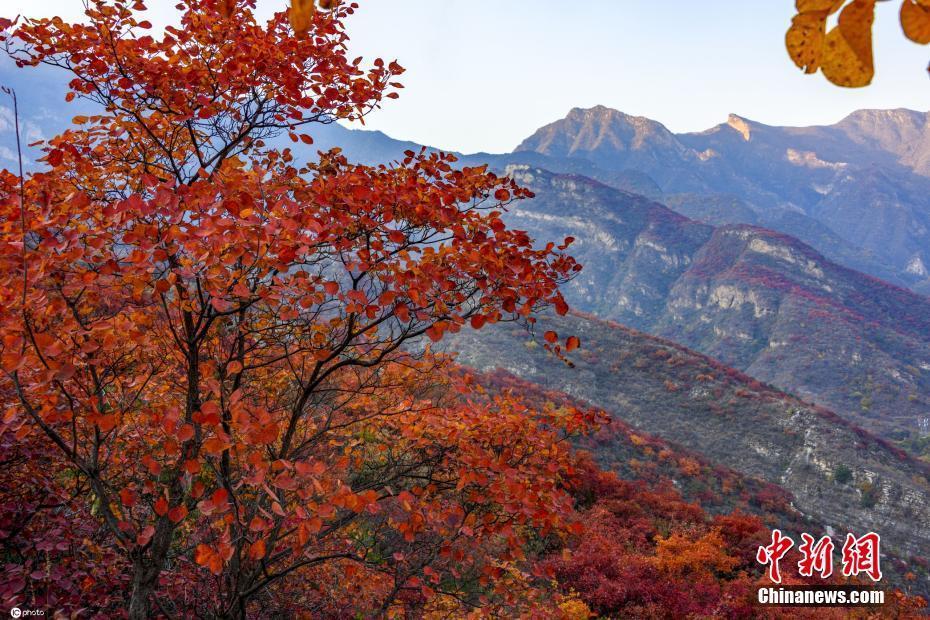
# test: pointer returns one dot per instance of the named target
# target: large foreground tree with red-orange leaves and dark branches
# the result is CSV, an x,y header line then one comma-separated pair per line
x,y
218,343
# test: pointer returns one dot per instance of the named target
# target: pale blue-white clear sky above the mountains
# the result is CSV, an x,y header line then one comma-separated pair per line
x,y
484,74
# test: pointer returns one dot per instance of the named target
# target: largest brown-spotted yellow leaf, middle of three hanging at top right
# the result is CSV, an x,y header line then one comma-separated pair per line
x,y
847,59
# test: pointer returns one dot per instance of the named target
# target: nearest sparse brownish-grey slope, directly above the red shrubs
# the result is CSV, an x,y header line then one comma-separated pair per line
x,y
684,397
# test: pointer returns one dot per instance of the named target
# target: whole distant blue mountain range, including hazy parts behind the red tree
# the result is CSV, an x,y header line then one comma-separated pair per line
x,y
863,182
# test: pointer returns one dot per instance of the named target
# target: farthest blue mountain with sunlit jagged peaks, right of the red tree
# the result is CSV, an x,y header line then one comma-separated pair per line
x,y
866,179
